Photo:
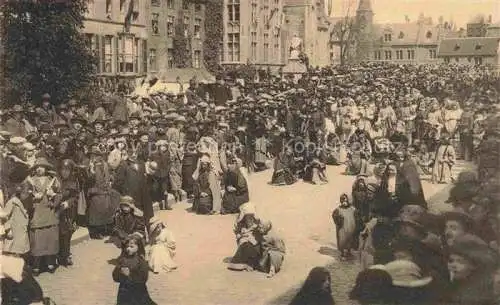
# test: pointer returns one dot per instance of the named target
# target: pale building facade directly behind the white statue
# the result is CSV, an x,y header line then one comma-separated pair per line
x,y
308,20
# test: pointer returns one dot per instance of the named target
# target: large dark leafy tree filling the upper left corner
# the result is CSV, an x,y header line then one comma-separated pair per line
x,y
45,50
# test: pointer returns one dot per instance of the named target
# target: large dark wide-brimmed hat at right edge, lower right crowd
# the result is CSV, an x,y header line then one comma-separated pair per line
x,y
475,250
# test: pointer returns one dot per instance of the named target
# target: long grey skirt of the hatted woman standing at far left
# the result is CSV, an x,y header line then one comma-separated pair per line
x,y
44,241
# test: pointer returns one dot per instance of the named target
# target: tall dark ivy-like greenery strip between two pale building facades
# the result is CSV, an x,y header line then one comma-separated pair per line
x,y
213,35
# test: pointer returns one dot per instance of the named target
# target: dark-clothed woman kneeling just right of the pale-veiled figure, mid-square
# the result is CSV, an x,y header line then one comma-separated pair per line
x,y
236,188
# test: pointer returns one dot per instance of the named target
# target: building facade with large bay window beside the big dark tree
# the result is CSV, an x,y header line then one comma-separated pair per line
x,y
122,52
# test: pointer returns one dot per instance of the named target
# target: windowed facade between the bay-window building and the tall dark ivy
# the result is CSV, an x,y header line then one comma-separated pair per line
x,y
166,19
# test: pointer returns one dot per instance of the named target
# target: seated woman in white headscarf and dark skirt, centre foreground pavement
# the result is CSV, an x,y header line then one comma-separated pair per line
x,y
248,254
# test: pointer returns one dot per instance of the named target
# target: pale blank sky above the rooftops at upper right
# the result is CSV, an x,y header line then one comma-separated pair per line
x,y
390,11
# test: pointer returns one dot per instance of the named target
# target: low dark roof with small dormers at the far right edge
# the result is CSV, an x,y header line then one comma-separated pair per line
x,y
470,46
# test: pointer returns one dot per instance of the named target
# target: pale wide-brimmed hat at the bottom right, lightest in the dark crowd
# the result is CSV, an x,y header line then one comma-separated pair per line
x,y
405,273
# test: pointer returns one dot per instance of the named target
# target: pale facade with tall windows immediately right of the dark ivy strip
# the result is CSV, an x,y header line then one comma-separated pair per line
x,y
253,33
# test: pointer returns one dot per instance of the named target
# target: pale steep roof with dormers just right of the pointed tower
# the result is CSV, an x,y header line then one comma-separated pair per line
x,y
410,33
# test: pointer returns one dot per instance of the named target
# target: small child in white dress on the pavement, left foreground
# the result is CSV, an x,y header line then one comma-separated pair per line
x,y
162,249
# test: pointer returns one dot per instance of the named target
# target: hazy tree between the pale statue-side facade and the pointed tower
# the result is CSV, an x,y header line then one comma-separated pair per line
x,y
343,34
